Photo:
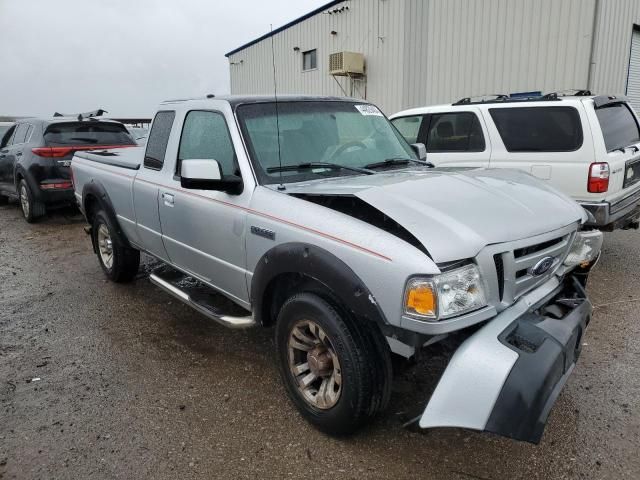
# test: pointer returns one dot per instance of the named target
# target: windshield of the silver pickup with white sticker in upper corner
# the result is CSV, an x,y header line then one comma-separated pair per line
x,y
344,134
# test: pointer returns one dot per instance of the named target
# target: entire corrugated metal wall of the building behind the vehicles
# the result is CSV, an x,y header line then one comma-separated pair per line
x,y
421,52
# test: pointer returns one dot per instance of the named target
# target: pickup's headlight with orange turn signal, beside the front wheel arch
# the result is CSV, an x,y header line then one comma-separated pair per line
x,y
445,295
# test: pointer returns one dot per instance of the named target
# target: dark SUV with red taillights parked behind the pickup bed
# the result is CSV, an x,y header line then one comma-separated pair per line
x,y
35,155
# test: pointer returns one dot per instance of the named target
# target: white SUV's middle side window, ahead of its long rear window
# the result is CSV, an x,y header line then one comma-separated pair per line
x,y
455,132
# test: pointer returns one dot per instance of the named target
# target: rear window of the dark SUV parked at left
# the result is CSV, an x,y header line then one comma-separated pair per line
x,y
87,133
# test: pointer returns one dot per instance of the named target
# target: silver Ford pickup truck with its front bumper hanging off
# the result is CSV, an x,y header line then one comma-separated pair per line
x,y
315,216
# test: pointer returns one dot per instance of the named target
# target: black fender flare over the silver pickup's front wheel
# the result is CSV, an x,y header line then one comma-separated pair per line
x,y
293,265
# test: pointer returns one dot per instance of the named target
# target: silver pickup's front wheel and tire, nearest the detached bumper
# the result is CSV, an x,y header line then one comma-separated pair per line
x,y
333,370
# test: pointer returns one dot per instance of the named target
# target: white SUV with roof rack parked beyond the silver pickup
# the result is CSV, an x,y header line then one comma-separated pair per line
x,y
586,146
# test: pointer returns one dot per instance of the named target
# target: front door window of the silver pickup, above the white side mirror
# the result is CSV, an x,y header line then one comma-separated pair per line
x,y
205,136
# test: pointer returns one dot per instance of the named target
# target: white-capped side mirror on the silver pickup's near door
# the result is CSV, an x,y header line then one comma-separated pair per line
x,y
205,174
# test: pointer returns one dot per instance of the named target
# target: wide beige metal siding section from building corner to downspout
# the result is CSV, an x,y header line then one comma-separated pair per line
x,y
458,48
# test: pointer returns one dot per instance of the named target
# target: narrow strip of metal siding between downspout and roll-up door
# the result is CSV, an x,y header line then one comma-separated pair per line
x,y
613,44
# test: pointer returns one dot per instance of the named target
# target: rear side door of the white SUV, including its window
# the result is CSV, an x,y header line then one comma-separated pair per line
x,y
455,138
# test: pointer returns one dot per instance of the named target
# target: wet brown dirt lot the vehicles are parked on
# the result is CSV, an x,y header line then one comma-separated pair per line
x,y
135,385
